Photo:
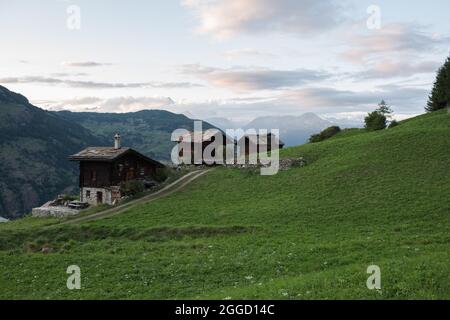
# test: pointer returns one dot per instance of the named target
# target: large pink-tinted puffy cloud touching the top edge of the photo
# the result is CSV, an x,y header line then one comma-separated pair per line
x,y
224,19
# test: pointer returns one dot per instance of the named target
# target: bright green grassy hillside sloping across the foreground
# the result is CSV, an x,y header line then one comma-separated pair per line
x,y
365,198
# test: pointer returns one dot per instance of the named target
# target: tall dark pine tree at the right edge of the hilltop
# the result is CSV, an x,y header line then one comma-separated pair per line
x,y
440,95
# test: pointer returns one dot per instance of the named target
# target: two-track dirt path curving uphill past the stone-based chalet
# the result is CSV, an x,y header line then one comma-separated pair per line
x,y
164,192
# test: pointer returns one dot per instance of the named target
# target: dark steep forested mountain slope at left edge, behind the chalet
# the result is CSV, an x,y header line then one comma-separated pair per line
x,y
34,148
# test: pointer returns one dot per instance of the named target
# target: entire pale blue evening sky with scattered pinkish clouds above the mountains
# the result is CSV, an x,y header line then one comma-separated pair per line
x,y
235,59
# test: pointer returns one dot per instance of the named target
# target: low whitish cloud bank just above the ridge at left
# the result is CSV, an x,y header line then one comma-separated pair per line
x,y
114,105
